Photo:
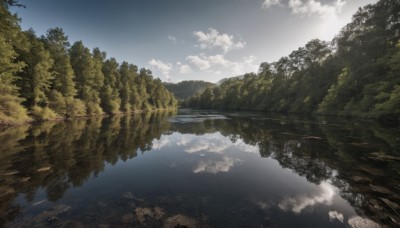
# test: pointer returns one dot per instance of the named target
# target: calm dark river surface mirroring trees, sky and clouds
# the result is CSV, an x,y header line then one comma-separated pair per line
x,y
200,169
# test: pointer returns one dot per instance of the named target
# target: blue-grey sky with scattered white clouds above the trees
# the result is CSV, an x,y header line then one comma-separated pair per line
x,y
192,39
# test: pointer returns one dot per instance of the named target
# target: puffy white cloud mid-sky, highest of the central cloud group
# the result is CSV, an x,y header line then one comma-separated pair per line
x,y
213,38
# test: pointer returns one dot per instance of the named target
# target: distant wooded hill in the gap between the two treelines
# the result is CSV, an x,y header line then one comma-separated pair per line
x,y
186,89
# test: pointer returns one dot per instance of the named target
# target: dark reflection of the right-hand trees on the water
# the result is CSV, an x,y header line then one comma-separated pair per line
x,y
362,159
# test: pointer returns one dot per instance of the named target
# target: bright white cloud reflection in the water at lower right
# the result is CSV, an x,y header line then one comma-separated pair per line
x,y
296,204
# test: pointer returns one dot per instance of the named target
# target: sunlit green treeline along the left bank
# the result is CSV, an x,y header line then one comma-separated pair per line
x,y
46,78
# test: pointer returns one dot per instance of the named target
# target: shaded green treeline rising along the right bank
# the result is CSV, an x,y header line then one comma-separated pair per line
x,y
357,74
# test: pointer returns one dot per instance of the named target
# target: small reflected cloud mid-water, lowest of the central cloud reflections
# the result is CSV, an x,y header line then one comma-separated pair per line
x,y
215,166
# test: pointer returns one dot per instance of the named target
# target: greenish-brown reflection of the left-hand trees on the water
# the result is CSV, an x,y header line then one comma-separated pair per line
x,y
56,156
